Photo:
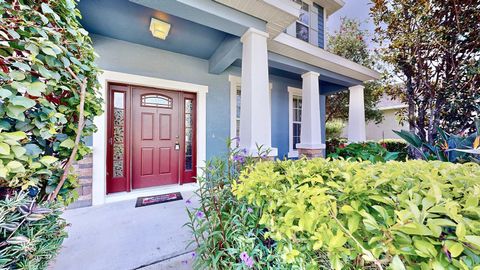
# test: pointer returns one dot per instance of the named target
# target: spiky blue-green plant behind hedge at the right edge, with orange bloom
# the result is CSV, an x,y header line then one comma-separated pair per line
x,y
447,147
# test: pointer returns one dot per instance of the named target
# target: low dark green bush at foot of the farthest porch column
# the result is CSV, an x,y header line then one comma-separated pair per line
x,y
371,151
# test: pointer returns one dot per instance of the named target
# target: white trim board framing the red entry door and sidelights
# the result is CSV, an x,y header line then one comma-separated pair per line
x,y
99,181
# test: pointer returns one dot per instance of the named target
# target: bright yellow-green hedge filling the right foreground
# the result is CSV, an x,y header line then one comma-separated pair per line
x,y
403,215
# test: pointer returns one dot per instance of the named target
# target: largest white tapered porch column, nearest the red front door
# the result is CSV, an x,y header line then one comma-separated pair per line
x,y
255,118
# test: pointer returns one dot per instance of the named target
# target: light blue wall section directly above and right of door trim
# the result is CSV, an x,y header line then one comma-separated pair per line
x,y
121,56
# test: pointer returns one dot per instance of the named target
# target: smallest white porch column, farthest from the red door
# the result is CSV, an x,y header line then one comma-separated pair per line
x,y
356,115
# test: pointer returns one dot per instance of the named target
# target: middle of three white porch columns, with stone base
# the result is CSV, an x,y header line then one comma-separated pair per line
x,y
310,136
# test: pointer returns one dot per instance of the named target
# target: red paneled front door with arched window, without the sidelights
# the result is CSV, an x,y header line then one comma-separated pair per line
x,y
156,137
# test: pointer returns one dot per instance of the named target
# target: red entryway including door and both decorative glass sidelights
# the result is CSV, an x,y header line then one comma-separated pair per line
x,y
151,137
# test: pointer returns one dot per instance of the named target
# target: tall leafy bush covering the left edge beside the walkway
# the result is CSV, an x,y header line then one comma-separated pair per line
x,y
48,100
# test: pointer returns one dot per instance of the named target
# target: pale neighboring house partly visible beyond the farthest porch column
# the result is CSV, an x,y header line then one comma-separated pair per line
x,y
384,130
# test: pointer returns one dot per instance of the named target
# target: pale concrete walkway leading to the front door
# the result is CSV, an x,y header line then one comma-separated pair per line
x,y
119,236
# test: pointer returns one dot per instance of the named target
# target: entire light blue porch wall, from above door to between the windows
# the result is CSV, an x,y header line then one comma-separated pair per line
x,y
121,56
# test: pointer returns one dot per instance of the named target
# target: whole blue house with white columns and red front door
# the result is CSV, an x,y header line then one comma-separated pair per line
x,y
182,76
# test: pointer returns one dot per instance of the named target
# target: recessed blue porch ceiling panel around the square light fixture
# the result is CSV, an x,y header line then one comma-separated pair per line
x,y
125,20
